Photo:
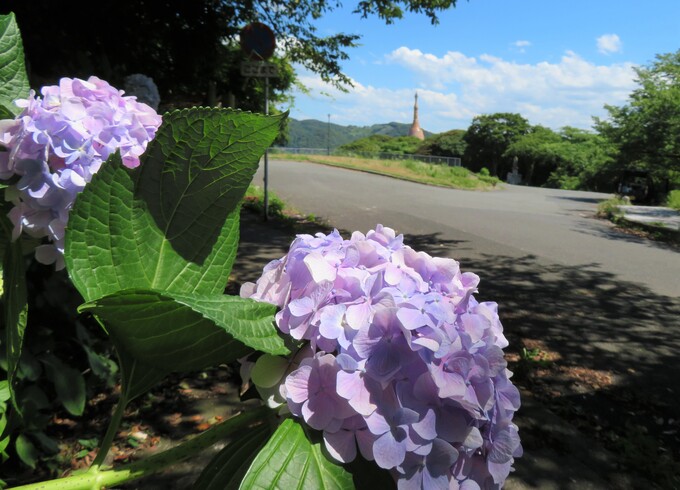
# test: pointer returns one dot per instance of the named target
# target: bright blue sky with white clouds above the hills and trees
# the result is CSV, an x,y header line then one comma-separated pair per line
x,y
556,62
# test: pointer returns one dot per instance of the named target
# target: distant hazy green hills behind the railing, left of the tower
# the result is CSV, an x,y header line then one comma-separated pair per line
x,y
312,133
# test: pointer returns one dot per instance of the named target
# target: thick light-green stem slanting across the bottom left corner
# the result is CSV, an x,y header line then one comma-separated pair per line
x,y
96,479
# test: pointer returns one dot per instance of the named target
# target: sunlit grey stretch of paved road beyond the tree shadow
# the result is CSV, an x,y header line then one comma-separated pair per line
x,y
550,224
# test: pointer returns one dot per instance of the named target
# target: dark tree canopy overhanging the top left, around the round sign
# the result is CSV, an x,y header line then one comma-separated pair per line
x,y
183,45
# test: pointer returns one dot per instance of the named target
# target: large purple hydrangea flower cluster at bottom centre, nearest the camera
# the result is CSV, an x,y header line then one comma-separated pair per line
x,y
404,364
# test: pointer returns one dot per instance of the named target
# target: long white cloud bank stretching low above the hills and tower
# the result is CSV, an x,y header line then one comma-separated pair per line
x,y
453,88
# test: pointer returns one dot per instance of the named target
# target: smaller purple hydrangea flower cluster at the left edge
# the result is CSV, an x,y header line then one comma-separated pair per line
x,y
55,146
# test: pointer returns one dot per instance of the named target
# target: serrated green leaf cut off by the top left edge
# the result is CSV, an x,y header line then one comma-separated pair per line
x,y
13,79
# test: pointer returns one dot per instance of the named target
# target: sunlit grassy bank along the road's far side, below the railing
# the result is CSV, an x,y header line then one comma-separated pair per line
x,y
412,170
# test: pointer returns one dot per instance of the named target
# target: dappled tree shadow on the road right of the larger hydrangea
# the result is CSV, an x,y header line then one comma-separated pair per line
x,y
586,314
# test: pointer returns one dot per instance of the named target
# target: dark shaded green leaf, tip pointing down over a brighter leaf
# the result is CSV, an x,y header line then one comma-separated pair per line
x,y
209,159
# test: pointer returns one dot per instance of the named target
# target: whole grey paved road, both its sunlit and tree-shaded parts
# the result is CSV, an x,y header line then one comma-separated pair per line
x,y
605,302
